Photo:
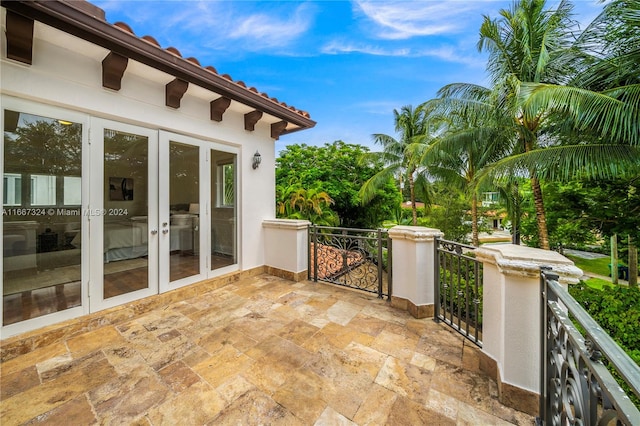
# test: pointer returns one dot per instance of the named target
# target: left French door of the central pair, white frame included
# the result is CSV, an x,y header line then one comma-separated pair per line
x,y
123,213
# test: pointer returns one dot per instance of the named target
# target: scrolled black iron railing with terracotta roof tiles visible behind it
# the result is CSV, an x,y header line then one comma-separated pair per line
x,y
355,258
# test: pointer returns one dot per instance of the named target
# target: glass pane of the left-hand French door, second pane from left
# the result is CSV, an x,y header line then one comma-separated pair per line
x,y
125,213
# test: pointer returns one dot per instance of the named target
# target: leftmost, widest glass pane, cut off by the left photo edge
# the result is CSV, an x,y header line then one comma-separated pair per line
x,y
42,202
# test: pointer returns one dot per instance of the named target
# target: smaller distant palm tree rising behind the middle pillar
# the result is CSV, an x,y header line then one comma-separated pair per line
x,y
400,157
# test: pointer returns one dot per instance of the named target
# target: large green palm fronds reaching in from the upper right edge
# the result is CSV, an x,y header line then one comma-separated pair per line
x,y
601,103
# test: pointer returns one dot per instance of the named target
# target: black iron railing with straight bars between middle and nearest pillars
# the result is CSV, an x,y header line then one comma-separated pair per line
x,y
458,289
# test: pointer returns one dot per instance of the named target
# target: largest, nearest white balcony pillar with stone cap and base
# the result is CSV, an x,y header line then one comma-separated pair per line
x,y
511,318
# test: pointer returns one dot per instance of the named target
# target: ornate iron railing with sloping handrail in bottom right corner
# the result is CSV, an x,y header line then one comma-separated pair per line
x,y
576,385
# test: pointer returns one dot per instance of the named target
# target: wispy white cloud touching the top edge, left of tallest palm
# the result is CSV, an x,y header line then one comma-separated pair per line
x,y
403,19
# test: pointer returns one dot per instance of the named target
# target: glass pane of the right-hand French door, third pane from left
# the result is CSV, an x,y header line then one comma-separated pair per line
x,y
183,228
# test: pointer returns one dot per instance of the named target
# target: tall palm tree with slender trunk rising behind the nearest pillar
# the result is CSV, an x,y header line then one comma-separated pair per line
x,y
529,44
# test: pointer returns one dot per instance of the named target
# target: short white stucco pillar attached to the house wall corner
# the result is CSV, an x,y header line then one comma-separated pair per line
x,y
286,248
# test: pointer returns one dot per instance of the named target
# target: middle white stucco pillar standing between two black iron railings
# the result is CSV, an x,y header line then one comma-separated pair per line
x,y
413,269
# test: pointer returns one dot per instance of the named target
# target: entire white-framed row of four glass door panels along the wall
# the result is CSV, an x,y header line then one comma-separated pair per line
x,y
112,213
